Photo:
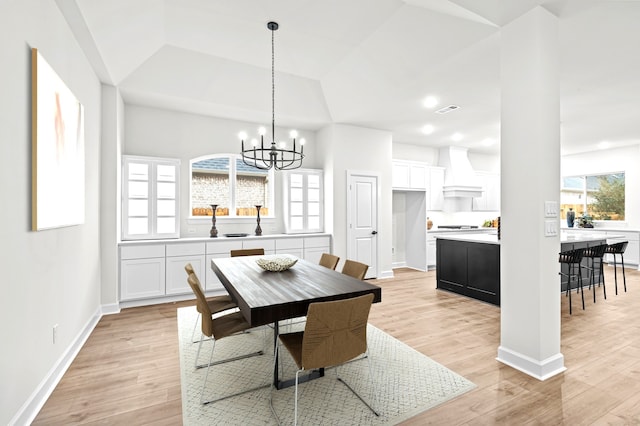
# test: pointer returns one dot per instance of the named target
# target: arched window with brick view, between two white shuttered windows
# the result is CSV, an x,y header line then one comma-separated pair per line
x,y
224,180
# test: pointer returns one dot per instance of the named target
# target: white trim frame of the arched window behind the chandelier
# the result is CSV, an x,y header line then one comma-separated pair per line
x,y
232,188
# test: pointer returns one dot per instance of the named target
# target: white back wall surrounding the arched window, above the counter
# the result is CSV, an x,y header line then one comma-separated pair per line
x,y
162,133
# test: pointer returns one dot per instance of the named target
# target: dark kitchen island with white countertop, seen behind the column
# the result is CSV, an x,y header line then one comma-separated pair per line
x,y
469,264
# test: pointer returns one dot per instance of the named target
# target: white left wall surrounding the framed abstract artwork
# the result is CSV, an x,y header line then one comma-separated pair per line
x,y
53,276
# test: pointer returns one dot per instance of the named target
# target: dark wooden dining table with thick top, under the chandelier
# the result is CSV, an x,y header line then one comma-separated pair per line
x,y
266,297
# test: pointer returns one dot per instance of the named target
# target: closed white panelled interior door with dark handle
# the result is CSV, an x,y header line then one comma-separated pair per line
x,y
362,214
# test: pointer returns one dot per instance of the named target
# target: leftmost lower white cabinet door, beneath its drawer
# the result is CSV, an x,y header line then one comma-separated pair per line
x,y
142,278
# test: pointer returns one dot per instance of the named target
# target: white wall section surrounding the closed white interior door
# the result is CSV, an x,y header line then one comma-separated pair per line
x,y
344,148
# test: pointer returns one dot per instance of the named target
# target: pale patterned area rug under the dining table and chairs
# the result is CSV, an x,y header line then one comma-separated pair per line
x,y
405,381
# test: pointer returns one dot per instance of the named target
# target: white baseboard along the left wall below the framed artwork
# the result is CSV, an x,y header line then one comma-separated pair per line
x,y
36,401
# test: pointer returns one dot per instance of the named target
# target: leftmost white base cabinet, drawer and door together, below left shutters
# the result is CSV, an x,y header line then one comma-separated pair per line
x,y
142,272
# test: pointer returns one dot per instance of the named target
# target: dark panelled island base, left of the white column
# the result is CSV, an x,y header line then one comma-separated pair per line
x,y
469,268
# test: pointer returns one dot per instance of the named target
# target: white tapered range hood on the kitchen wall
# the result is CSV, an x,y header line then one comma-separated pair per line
x,y
459,178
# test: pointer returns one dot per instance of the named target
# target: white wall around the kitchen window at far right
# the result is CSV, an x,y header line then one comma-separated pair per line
x,y
625,160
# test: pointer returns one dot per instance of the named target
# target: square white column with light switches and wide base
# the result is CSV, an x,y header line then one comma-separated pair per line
x,y
530,176
